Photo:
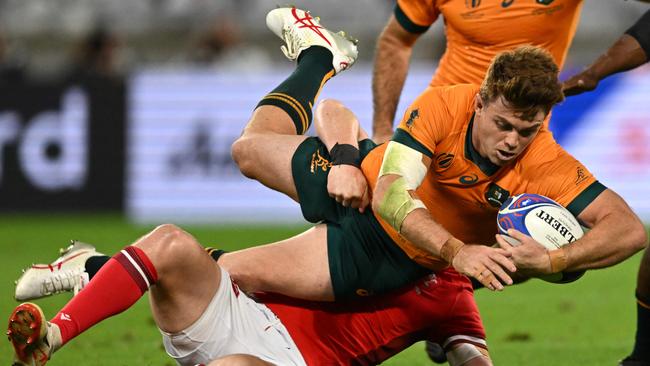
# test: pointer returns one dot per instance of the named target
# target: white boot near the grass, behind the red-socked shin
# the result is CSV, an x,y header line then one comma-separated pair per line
x,y
66,274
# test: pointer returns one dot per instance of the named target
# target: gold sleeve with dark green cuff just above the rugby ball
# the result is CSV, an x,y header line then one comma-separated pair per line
x,y
567,181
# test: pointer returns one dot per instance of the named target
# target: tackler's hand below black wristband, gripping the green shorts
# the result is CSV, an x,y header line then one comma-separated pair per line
x,y
348,186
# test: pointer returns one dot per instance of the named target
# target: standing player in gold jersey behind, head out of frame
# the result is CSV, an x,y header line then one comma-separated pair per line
x,y
476,31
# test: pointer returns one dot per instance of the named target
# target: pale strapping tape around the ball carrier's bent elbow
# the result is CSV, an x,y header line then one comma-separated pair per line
x,y
402,171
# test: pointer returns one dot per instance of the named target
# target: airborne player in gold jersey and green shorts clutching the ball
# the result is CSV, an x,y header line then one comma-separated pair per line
x,y
460,152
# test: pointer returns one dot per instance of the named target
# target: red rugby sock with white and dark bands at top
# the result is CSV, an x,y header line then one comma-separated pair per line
x,y
117,286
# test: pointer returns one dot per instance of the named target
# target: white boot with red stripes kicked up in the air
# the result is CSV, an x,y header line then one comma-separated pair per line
x,y
300,30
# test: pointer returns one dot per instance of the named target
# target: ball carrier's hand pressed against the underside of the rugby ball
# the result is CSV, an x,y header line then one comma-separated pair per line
x,y
530,257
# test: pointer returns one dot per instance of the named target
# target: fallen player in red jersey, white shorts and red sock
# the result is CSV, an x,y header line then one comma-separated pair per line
x,y
206,319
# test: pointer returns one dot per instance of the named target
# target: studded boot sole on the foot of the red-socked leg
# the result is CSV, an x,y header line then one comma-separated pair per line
x,y
34,339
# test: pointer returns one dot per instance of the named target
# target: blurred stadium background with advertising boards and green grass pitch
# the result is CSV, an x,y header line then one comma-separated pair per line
x,y
117,115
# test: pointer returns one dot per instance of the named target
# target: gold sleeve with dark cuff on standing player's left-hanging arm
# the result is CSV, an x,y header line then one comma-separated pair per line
x,y
416,16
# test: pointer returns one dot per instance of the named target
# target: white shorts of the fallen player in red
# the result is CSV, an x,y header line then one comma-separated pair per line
x,y
233,323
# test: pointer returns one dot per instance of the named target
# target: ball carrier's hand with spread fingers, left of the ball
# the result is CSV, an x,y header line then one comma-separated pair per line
x,y
488,265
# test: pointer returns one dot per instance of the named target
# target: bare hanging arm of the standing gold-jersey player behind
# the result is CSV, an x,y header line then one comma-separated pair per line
x,y
389,73
